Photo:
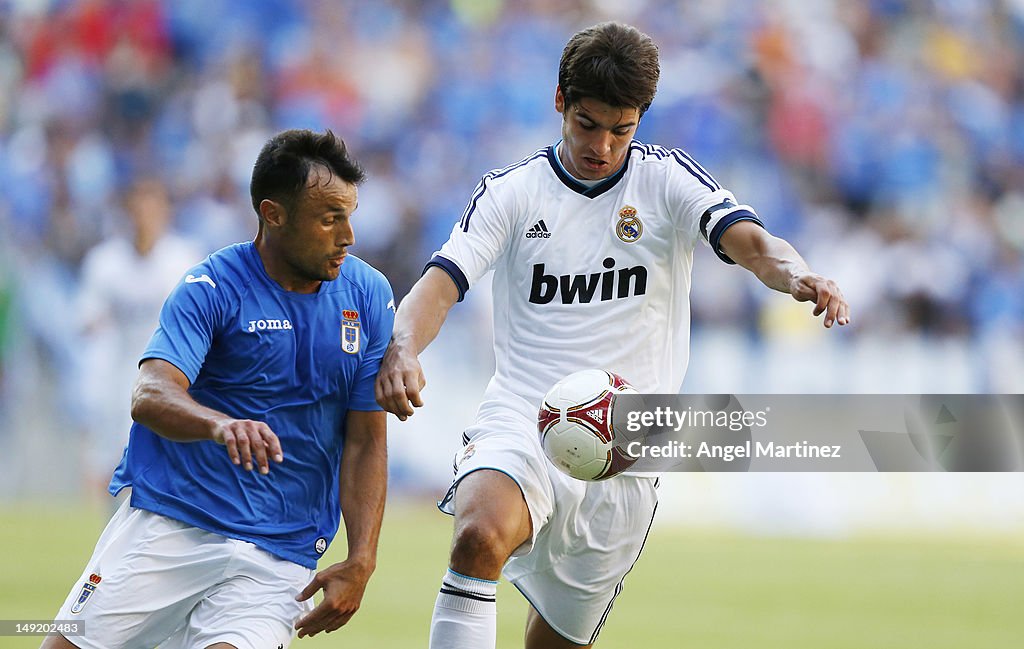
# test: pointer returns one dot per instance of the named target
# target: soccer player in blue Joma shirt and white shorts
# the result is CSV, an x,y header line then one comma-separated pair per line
x,y
257,430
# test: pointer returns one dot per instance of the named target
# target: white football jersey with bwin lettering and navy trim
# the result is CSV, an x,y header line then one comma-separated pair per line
x,y
590,277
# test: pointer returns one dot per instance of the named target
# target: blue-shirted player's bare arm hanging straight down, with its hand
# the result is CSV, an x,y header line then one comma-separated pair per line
x,y
364,487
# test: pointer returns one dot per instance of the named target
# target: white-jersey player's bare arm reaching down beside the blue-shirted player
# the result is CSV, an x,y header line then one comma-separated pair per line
x,y
419,319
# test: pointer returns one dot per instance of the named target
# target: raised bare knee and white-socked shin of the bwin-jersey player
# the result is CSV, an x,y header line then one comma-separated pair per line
x,y
491,522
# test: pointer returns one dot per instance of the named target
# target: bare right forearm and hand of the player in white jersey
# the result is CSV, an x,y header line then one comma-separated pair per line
x,y
779,267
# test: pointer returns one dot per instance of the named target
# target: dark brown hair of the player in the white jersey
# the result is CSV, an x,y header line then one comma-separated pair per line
x,y
613,63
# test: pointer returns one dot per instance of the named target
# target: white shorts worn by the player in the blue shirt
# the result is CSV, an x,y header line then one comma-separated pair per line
x,y
154,581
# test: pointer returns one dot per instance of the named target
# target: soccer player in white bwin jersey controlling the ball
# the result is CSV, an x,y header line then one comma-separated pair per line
x,y
591,241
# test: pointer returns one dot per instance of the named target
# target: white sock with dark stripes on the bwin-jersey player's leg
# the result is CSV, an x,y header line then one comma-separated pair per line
x,y
465,614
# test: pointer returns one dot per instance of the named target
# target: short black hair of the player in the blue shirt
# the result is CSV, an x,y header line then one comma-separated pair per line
x,y
283,166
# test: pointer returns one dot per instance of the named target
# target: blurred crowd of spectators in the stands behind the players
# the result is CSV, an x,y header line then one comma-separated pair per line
x,y
884,138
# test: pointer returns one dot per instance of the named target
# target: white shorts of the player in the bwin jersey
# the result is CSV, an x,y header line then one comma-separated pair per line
x,y
586,538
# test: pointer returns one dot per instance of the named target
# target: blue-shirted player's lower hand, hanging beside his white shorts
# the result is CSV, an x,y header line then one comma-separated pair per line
x,y
344,585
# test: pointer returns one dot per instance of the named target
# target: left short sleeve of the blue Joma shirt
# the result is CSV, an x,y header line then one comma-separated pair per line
x,y
189,322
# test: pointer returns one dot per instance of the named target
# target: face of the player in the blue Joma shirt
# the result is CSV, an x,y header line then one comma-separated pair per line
x,y
319,230
